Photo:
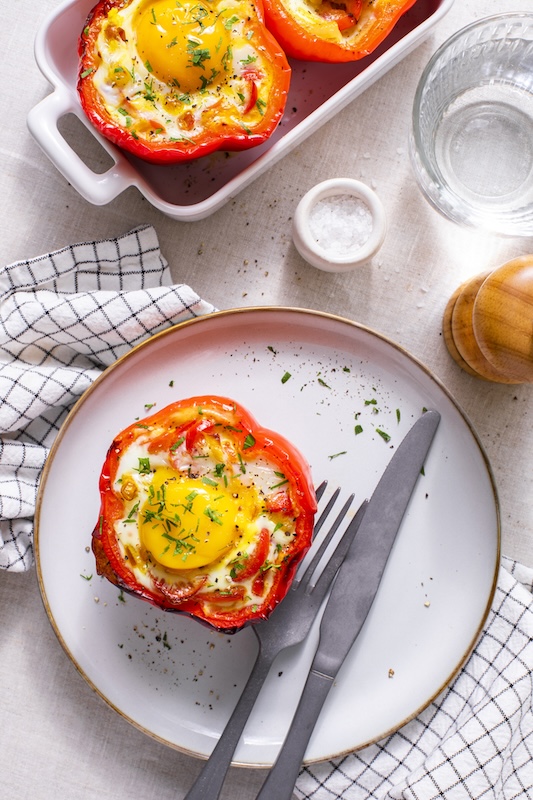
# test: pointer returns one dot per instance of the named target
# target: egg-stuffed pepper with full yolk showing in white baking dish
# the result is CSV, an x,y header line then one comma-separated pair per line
x,y
172,81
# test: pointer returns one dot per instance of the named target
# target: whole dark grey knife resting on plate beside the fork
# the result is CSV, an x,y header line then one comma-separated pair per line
x,y
352,596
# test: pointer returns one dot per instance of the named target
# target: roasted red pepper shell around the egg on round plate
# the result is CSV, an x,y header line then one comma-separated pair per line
x,y
184,424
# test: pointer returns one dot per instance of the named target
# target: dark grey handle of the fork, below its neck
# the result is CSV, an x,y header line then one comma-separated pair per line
x,y
209,782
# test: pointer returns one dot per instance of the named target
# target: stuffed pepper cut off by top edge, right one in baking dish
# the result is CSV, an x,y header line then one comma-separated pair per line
x,y
331,31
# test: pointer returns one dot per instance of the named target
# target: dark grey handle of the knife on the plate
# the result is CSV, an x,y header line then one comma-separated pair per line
x,y
282,777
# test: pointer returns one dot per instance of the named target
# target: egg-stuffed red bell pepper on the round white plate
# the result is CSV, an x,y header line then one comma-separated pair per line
x,y
204,512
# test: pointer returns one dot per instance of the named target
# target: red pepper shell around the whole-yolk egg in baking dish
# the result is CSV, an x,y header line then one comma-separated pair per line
x,y
152,145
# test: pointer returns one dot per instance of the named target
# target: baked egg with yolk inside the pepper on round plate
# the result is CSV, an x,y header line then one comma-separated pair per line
x,y
188,515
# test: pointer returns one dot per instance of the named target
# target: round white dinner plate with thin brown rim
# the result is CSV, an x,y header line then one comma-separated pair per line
x,y
179,681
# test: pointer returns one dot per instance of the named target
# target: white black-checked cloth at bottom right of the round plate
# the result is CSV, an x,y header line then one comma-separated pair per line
x,y
475,742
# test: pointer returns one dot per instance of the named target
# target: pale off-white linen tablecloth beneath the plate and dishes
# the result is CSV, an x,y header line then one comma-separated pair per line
x,y
58,740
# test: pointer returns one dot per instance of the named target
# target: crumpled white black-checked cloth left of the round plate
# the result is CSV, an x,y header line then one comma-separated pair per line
x,y
64,317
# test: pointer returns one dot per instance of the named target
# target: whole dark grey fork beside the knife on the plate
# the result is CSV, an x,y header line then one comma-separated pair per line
x,y
288,625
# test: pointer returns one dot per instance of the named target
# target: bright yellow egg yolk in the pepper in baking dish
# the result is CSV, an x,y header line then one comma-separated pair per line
x,y
185,45
